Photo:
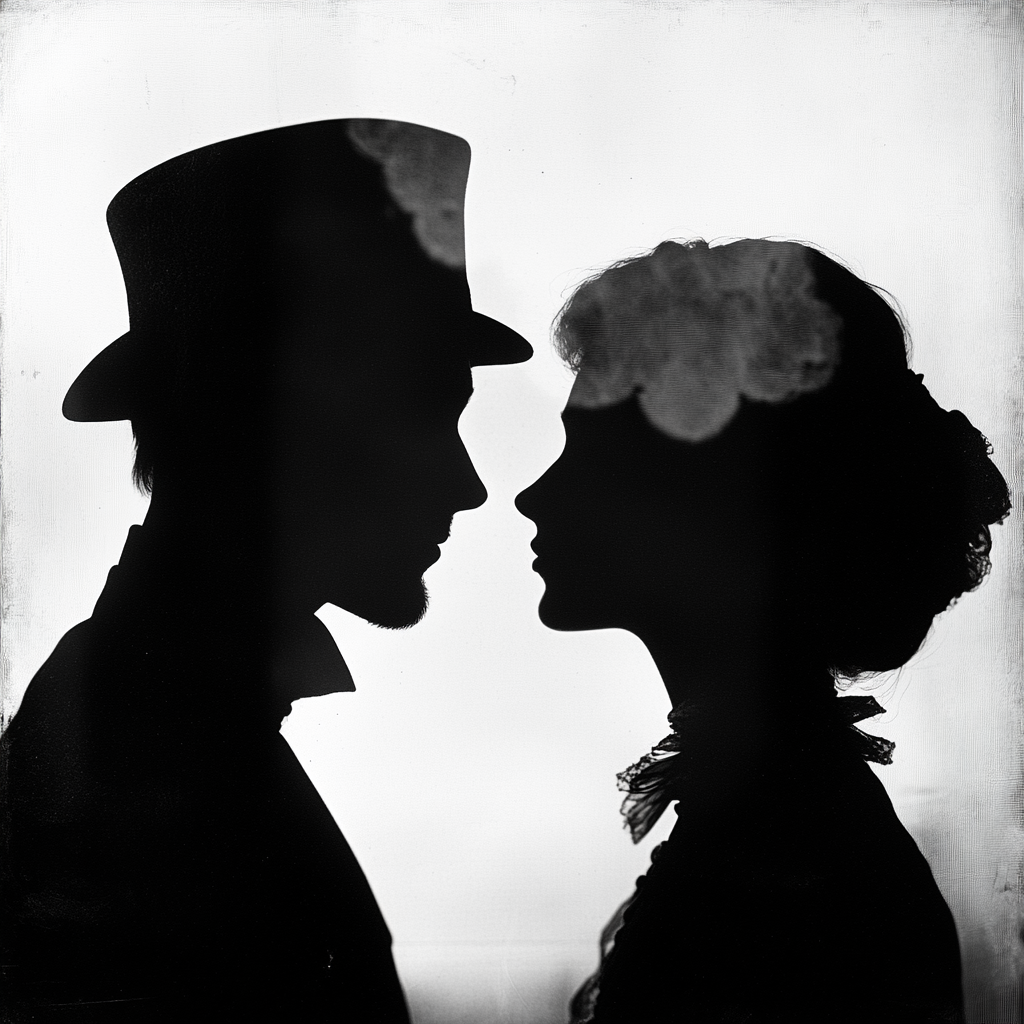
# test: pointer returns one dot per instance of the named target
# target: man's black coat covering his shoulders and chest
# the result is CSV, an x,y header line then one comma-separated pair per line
x,y
168,860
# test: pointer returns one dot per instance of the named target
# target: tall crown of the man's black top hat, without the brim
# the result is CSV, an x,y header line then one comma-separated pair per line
x,y
215,227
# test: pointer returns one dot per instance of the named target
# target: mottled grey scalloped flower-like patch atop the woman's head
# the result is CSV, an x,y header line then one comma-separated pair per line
x,y
692,329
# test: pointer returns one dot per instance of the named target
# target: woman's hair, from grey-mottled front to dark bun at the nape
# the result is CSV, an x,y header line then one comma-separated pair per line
x,y
880,501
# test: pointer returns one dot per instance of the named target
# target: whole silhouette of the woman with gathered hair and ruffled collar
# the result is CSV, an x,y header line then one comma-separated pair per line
x,y
756,485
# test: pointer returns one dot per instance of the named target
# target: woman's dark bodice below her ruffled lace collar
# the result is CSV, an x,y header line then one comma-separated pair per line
x,y
803,901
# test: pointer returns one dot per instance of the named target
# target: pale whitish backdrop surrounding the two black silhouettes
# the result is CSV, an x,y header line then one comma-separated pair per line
x,y
474,771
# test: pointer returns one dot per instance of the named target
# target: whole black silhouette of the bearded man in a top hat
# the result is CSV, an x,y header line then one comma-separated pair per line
x,y
300,357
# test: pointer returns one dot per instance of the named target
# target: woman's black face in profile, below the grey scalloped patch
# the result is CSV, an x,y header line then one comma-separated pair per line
x,y
635,529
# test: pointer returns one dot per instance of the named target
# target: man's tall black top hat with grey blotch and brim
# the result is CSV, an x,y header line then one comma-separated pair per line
x,y
211,242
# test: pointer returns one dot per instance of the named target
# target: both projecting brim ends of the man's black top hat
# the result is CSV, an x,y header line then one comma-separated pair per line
x,y
113,386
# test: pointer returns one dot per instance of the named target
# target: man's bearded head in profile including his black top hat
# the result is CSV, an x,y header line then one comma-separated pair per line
x,y
300,357
